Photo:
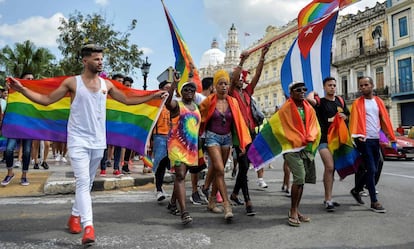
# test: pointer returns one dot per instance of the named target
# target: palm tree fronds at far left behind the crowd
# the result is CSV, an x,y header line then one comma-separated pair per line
x,y
25,57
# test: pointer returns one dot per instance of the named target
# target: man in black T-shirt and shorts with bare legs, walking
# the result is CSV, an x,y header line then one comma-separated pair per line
x,y
326,109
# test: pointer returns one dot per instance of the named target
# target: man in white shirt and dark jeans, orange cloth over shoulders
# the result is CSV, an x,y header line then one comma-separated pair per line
x,y
368,116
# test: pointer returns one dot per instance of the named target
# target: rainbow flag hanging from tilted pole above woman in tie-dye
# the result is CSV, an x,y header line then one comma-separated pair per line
x,y
183,61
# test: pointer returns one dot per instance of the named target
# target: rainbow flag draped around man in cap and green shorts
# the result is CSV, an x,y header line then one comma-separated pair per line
x,y
285,132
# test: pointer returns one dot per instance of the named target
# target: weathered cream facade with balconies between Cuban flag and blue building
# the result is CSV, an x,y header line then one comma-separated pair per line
x,y
361,49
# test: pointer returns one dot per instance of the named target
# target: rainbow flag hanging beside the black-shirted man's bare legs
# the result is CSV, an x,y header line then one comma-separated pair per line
x,y
346,157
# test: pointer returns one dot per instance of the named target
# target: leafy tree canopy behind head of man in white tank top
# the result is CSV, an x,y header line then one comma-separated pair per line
x,y
119,54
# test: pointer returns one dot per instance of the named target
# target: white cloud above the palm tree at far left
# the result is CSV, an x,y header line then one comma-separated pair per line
x,y
40,30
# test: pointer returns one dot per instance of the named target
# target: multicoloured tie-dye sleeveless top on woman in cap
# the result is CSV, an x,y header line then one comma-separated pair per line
x,y
183,138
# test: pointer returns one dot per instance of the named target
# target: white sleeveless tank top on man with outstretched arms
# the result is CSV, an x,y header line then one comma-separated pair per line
x,y
87,118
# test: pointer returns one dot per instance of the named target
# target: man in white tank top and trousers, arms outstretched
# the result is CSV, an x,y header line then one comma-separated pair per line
x,y
86,139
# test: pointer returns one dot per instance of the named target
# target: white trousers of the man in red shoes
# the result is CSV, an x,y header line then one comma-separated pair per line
x,y
84,164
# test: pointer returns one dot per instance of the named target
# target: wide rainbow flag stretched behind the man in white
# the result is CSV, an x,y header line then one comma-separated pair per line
x,y
127,126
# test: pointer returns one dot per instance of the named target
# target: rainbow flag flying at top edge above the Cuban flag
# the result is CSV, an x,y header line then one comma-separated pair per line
x,y
317,9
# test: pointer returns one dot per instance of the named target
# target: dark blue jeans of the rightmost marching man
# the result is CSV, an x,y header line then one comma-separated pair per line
x,y
369,150
